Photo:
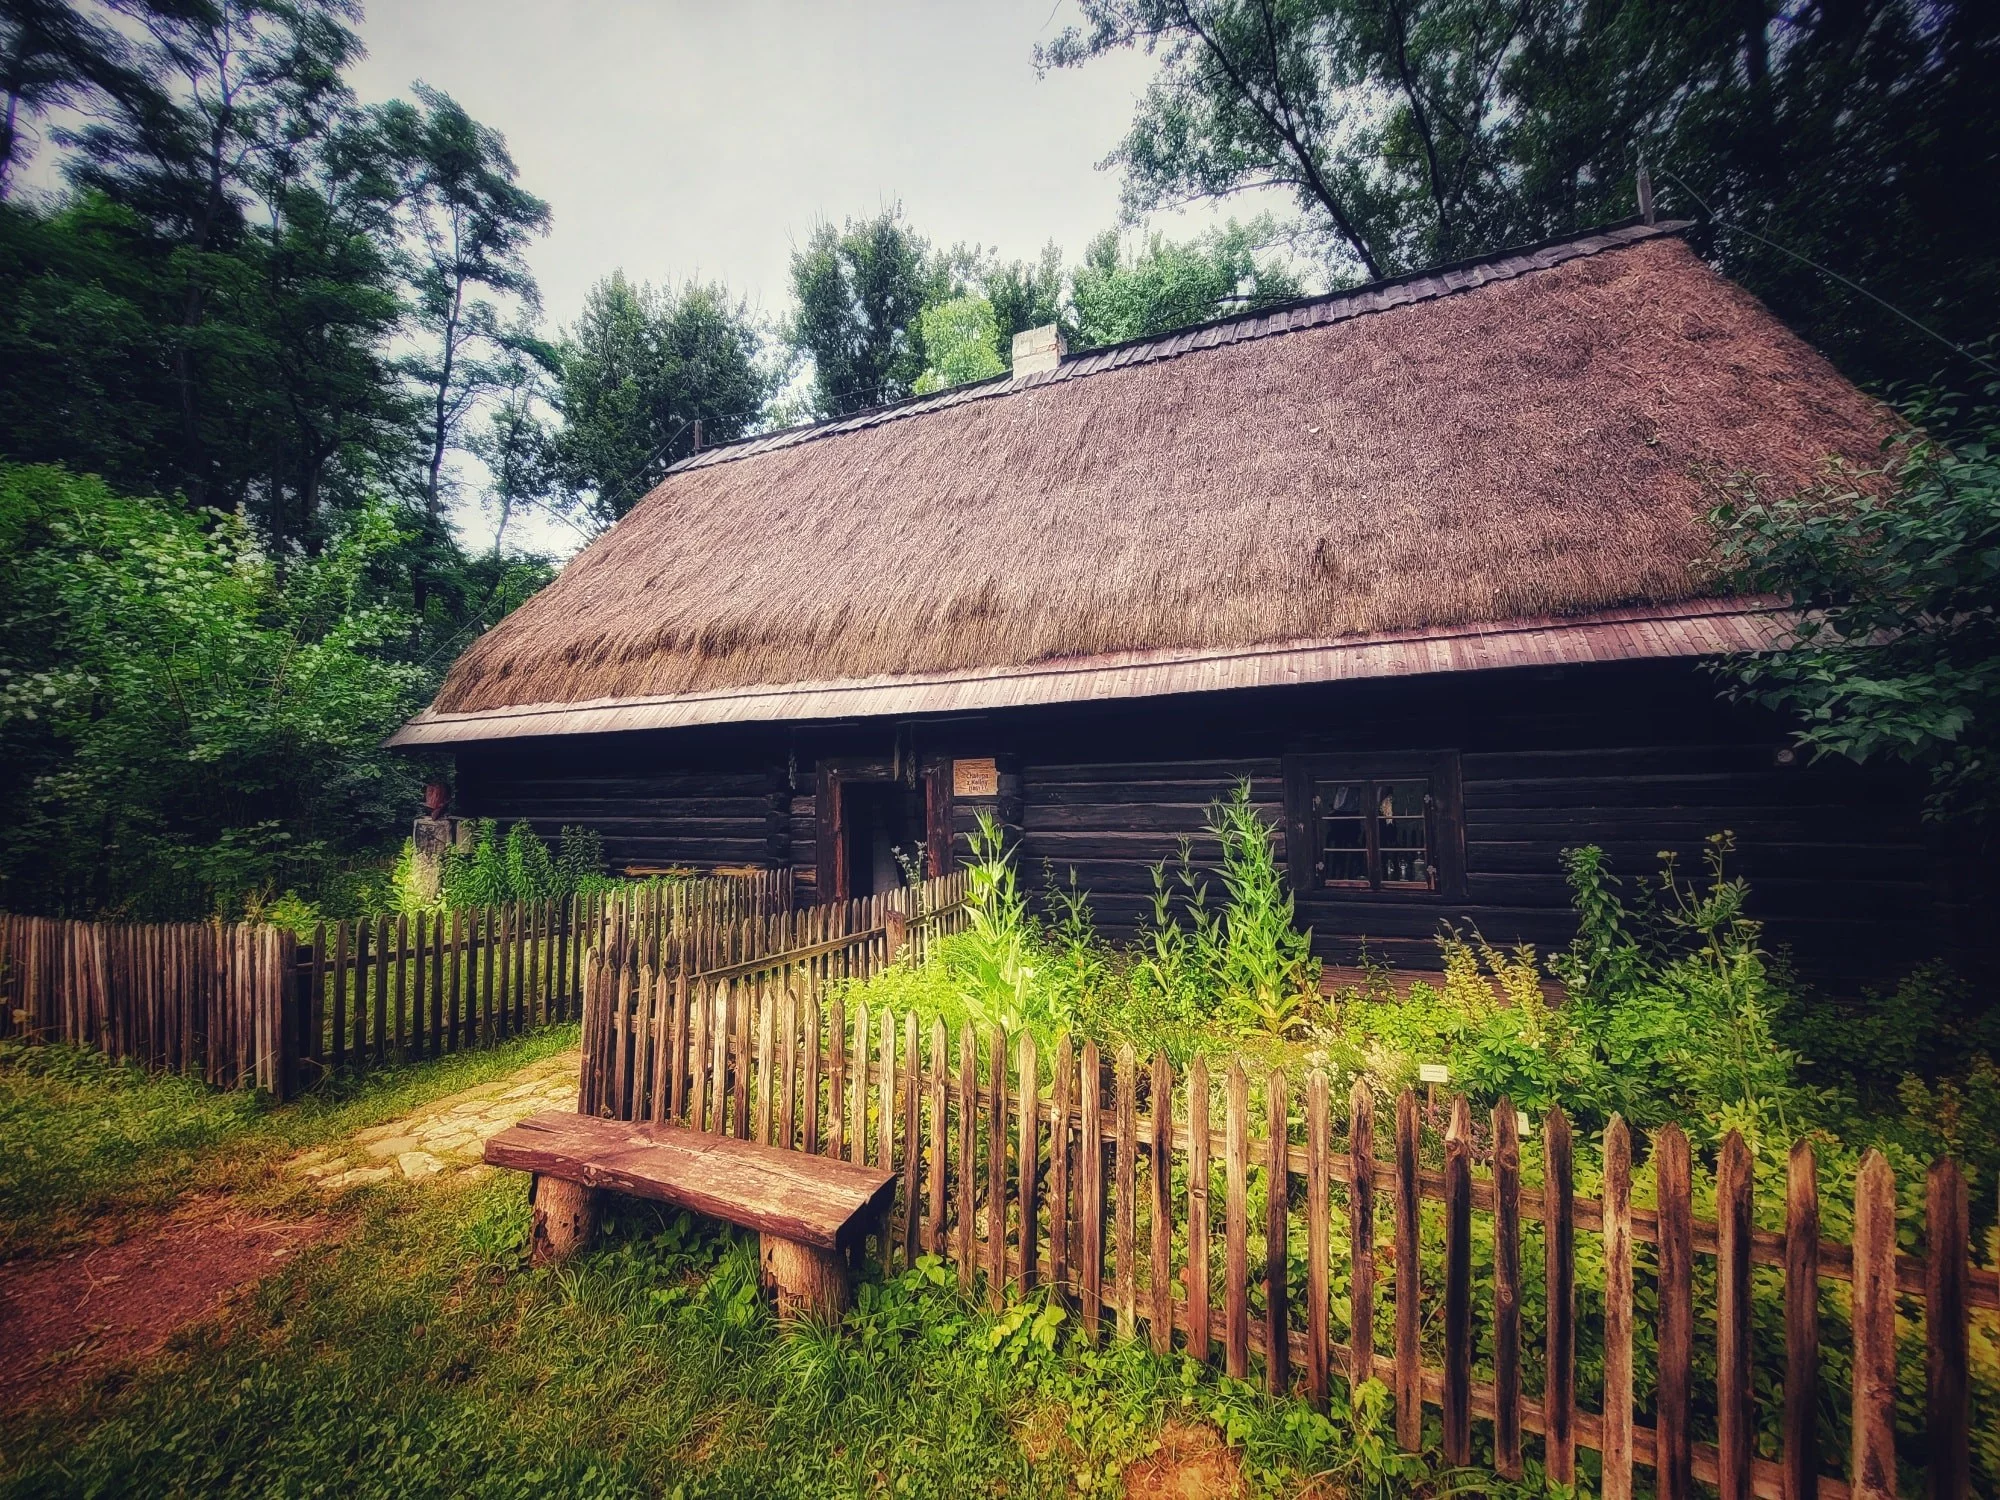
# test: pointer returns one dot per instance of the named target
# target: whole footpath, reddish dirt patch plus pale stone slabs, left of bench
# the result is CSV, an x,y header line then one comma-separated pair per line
x,y
83,1313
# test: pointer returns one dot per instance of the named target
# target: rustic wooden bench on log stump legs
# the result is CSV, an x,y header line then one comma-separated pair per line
x,y
809,1211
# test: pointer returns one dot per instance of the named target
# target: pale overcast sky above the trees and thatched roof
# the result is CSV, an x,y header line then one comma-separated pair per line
x,y
707,139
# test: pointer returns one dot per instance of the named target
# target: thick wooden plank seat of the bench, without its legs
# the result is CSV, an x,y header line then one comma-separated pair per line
x,y
795,1197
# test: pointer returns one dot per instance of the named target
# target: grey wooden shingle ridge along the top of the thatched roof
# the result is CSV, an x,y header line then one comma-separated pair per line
x,y
1295,315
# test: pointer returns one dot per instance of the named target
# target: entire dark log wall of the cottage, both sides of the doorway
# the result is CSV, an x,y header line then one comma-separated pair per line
x,y
1633,757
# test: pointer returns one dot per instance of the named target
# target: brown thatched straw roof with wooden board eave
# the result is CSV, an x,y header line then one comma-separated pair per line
x,y
1517,453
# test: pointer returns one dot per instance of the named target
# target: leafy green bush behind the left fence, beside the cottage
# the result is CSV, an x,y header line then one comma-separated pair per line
x,y
183,725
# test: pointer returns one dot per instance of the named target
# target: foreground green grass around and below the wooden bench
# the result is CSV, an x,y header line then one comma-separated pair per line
x,y
421,1359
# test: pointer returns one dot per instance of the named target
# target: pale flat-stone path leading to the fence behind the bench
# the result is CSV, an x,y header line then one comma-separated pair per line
x,y
449,1135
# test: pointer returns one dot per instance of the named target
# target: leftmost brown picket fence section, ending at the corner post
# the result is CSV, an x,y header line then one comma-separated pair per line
x,y
175,997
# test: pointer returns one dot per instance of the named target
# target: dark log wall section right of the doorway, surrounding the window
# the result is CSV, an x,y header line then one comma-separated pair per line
x,y
1635,759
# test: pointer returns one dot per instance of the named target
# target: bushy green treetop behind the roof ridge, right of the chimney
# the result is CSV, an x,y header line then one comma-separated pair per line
x,y
1165,285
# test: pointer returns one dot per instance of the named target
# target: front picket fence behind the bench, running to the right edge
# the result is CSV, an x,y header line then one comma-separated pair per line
x,y
1027,1175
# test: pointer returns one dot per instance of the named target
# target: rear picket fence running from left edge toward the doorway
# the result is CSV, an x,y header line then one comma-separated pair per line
x,y
245,1005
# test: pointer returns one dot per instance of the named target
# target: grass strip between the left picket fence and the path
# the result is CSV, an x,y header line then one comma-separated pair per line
x,y
91,1147
